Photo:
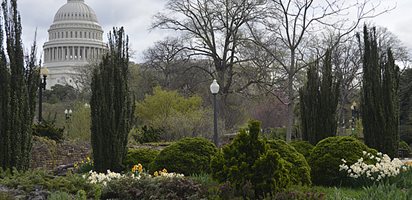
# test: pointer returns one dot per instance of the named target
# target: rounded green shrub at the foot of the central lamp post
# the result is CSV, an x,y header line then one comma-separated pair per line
x,y
187,156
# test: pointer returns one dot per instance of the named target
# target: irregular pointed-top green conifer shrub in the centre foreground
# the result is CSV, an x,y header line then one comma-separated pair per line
x,y
247,163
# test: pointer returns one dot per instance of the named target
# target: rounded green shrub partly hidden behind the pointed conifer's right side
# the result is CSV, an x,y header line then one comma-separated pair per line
x,y
299,170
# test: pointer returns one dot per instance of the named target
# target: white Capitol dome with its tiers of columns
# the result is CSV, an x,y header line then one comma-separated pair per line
x,y
75,40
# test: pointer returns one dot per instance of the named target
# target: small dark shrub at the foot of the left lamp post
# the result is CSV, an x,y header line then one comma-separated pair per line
x,y
49,130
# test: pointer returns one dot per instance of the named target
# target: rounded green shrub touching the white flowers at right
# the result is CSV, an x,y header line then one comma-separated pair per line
x,y
327,156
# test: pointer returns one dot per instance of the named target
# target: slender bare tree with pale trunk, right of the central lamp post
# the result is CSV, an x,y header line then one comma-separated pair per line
x,y
291,26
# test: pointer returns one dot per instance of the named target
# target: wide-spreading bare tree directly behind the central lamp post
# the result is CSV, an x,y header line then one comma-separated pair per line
x,y
213,30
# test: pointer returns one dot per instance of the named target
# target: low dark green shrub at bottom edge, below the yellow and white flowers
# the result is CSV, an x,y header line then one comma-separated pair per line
x,y
153,188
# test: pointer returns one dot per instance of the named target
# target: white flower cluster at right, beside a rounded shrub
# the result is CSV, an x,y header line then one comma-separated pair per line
x,y
384,167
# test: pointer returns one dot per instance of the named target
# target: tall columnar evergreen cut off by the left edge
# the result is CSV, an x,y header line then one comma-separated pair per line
x,y
18,84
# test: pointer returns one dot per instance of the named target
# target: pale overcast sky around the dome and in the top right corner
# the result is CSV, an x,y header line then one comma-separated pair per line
x,y
136,17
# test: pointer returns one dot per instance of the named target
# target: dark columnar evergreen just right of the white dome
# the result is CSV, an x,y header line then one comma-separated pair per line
x,y
111,105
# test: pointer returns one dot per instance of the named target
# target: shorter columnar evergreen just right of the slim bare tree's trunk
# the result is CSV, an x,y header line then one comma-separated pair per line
x,y
318,102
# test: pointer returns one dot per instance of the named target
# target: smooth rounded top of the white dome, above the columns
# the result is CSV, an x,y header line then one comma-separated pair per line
x,y
75,10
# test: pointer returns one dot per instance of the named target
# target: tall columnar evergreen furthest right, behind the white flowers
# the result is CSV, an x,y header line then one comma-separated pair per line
x,y
380,101
